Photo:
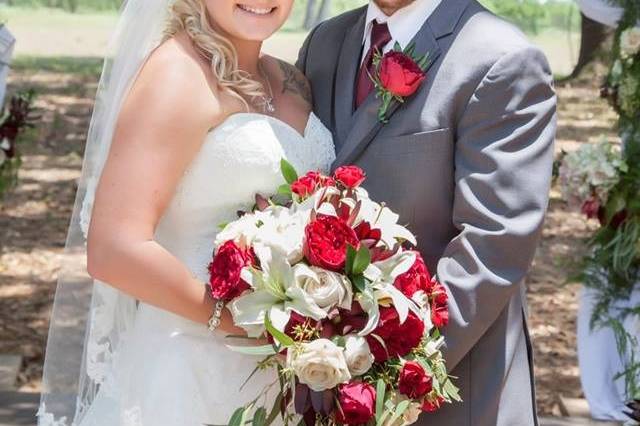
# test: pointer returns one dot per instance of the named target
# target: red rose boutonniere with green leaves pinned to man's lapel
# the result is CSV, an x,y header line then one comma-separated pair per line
x,y
397,75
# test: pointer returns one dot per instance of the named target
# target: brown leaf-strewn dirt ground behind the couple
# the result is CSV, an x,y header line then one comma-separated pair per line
x,y
34,218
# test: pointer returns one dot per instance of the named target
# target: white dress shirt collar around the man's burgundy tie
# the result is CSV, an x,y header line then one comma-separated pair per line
x,y
403,25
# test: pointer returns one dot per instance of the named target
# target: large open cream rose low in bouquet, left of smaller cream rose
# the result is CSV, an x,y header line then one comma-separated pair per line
x,y
320,364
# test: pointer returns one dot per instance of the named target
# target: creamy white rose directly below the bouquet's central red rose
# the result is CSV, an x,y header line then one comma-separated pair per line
x,y
326,288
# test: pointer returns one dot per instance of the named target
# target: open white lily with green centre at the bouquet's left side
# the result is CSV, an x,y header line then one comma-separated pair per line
x,y
274,292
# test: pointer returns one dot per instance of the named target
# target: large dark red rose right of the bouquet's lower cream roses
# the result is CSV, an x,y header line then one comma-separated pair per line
x,y
399,339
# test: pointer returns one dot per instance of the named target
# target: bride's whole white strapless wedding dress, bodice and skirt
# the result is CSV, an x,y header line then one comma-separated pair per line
x,y
174,372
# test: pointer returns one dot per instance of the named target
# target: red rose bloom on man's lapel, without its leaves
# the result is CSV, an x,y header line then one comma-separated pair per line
x,y
399,74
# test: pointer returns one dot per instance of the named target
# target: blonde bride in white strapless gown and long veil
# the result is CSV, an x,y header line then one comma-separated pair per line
x,y
191,120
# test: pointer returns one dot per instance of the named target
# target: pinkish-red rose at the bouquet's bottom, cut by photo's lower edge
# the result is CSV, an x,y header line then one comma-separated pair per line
x,y
357,402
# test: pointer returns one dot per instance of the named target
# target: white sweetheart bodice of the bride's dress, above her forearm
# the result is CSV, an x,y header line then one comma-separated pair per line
x,y
239,158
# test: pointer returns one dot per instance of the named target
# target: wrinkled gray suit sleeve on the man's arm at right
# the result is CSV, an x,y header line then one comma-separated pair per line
x,y
503,166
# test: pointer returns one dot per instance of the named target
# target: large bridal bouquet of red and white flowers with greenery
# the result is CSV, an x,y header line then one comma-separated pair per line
x,y
351,313
